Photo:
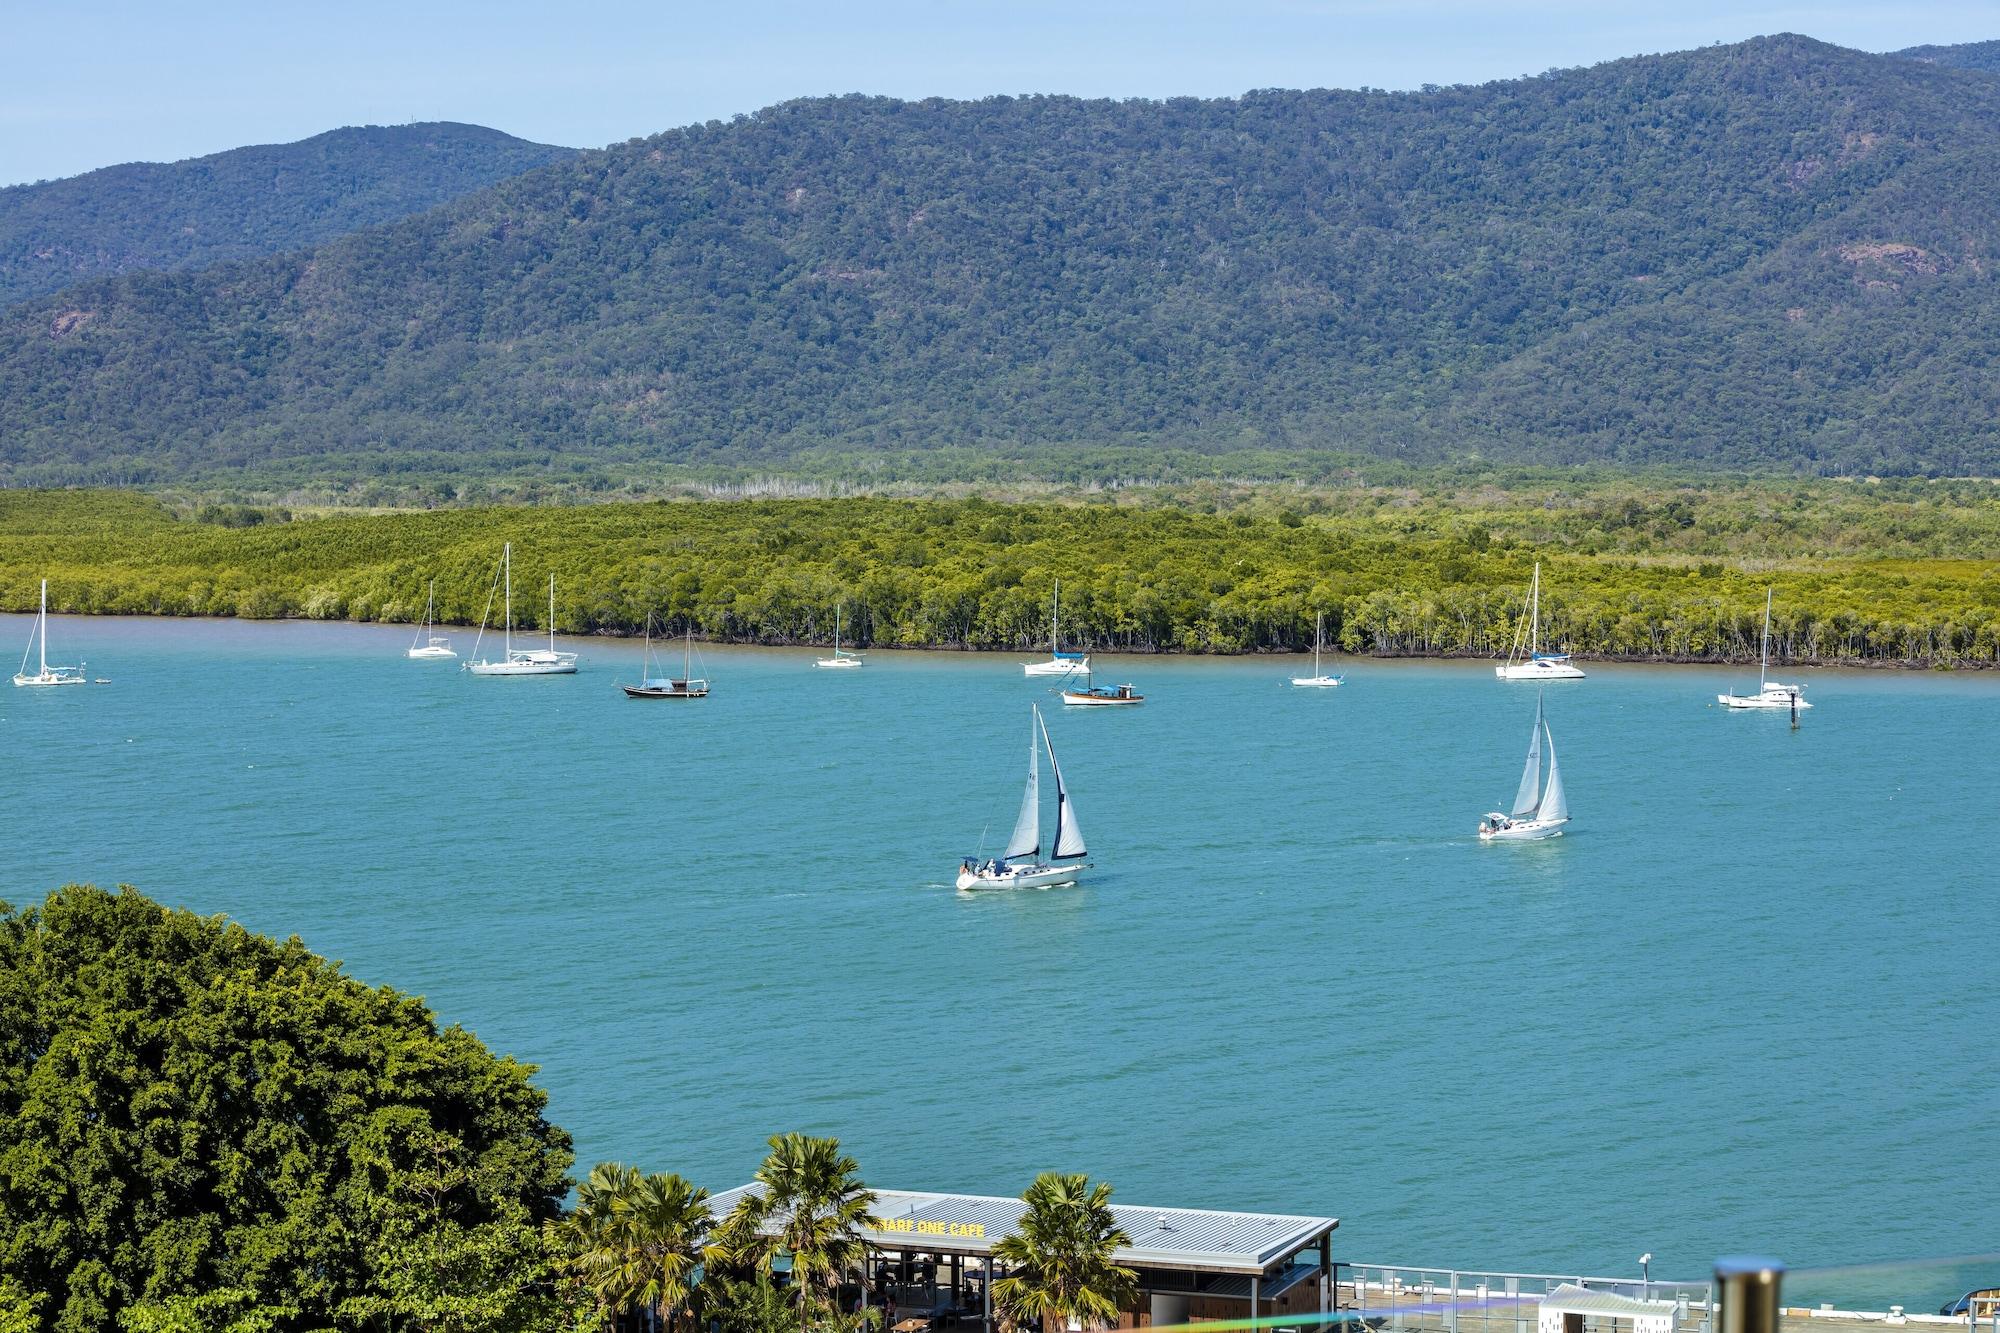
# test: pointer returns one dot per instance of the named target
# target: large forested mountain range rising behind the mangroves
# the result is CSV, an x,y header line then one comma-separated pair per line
x,y
1773,255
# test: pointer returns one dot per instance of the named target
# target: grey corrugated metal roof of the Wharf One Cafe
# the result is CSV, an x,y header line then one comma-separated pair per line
x,y
1161,1238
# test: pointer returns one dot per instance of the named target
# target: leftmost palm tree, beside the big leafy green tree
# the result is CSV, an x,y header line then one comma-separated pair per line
x,y
637,1240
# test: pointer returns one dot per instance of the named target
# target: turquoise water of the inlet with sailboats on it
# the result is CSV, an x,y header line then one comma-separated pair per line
x,y
1751,1004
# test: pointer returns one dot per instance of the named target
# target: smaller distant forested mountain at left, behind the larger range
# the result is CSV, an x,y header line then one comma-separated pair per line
x,y
245,203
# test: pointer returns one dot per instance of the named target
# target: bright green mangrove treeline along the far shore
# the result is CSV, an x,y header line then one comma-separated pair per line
x,y
1671,575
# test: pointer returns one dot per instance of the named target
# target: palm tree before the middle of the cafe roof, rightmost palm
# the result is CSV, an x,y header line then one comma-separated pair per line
x,y
1061,1256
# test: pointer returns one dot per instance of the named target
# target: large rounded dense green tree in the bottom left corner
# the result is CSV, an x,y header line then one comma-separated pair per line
x,y
205,1128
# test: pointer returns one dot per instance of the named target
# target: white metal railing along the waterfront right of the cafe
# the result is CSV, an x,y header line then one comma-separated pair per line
x,y
1409,1300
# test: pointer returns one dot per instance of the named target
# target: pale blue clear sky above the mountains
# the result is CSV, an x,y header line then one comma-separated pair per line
x,y
87,85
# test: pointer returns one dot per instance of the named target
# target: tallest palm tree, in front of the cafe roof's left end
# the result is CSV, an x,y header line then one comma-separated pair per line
x,y
811,1206
